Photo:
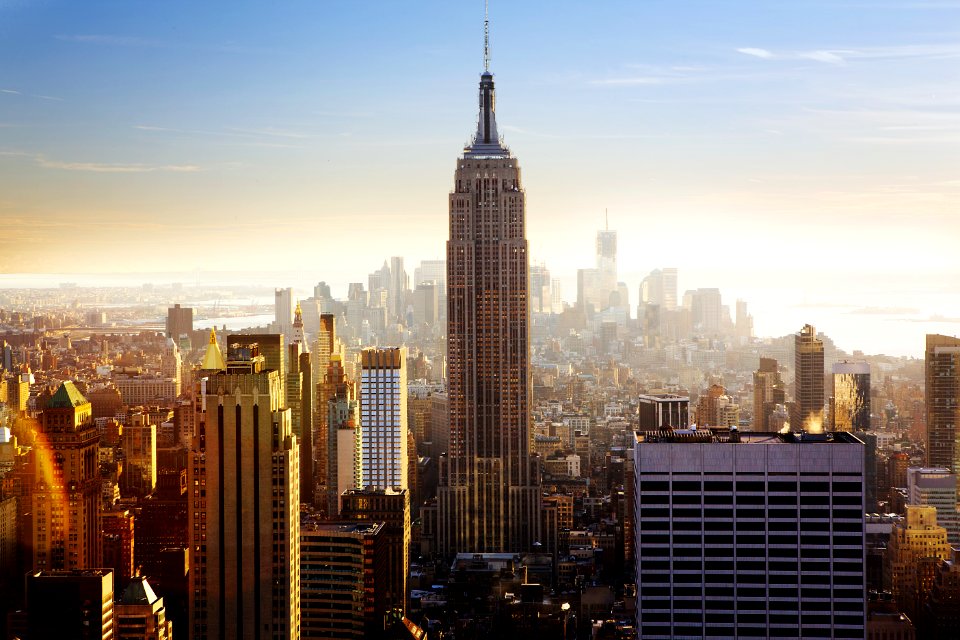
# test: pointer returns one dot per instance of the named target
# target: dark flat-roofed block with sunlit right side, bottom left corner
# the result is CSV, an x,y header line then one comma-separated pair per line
x,y
70,604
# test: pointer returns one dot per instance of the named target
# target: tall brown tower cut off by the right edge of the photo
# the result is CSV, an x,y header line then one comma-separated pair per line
x,y
943,402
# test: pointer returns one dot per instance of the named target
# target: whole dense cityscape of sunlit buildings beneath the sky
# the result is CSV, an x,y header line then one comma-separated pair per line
x,y
463,448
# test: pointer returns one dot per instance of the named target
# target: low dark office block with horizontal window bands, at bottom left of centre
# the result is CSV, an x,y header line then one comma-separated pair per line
x,y
343,578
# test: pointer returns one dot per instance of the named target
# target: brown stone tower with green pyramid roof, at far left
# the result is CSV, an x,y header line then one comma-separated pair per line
x,y
66,493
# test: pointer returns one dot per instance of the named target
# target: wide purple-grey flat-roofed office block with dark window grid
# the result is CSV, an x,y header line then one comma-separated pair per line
x,y
758,532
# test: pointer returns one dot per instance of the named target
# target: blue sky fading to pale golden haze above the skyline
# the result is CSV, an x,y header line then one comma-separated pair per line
x,y
170,133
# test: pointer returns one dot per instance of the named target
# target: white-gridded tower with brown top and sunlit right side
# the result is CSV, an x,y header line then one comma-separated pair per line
x,y
383,418
